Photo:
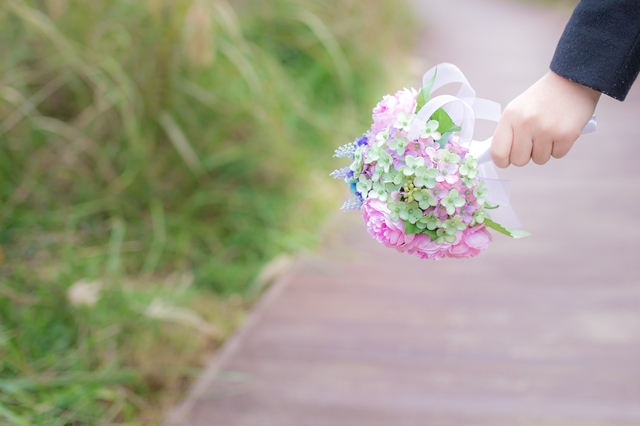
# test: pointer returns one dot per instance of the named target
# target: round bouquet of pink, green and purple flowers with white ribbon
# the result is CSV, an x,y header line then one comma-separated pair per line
x,y
415,175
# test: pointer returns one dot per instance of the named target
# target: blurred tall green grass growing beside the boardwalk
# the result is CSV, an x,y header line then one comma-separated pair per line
x,y
165,150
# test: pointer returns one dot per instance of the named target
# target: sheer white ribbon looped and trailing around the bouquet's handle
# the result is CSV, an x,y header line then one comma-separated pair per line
x,y
464,109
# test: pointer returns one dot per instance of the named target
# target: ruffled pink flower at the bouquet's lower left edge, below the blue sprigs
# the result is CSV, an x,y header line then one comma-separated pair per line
x,y
382,228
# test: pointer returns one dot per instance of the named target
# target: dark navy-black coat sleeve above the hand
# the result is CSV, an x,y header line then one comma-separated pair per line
x,y
600,47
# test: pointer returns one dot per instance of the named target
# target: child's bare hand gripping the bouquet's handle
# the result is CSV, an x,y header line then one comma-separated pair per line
x,y
543,121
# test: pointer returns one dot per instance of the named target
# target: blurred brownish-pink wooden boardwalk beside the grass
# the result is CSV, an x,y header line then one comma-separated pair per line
x,y
542,331
